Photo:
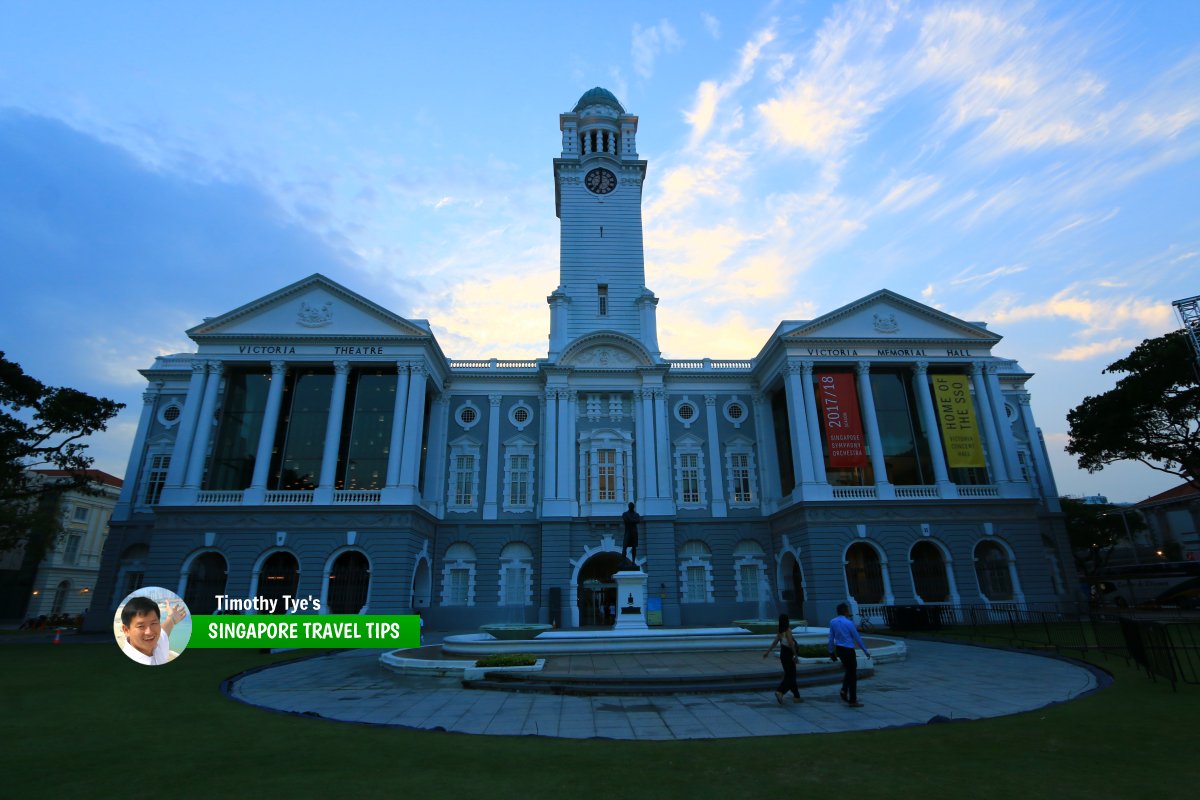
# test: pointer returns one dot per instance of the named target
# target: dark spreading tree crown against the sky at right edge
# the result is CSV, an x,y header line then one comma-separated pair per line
x,y
1153,416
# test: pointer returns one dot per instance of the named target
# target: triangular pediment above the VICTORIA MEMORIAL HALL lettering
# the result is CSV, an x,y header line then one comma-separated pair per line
x,y
885,316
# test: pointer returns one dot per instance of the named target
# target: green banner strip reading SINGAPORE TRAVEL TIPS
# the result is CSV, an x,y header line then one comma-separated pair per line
x,y
307,631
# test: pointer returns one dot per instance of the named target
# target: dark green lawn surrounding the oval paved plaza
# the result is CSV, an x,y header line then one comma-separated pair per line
x,y
76,721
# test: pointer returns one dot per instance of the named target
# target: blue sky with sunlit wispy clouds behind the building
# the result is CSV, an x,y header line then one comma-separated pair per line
x,y
1034,165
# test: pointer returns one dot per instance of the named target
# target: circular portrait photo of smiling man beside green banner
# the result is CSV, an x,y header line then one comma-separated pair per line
x,y
153,625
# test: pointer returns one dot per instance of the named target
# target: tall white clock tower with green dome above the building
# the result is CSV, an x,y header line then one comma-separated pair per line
x,y
598,199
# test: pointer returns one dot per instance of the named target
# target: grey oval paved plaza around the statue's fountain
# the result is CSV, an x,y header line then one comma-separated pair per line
x,y
939,682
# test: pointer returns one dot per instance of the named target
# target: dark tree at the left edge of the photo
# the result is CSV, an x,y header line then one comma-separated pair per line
x,y
43,428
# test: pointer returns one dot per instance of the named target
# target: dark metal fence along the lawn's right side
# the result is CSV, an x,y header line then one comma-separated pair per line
x,y
1166,643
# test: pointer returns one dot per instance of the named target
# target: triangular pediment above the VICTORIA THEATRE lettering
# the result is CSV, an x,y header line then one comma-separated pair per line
x,y
315,306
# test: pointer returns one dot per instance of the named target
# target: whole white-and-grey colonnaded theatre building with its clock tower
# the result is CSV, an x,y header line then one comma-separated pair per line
x,y
317,444
